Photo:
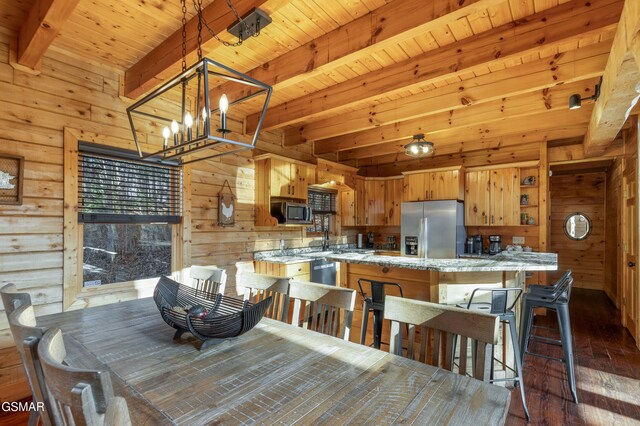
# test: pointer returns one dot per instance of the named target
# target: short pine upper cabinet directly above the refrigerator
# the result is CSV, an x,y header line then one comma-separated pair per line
x,y
440,184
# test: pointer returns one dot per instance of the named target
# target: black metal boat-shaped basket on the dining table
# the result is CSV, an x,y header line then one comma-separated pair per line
x,y
207,316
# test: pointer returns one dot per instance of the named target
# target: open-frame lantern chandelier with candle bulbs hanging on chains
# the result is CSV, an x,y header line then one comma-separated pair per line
x,y
192,112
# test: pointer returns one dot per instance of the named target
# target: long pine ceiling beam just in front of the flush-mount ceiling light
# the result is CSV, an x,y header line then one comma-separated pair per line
x,y
382,124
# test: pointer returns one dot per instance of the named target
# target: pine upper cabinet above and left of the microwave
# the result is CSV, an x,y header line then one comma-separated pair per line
x,y
278,176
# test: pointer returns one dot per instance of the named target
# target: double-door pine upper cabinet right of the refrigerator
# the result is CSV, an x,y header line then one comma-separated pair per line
x,y
492,197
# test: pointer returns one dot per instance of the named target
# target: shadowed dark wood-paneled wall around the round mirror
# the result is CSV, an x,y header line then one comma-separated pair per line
x,y
583,193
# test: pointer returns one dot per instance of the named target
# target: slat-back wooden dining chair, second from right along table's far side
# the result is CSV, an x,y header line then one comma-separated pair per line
x,y
323,306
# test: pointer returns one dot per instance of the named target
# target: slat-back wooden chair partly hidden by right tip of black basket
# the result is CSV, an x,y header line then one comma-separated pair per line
x,y
258,287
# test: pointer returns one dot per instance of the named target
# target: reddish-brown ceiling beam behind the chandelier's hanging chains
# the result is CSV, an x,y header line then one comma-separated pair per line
x,y
164,60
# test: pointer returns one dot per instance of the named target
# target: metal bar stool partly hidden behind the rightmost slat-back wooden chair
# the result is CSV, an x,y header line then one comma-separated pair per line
x,y
500,307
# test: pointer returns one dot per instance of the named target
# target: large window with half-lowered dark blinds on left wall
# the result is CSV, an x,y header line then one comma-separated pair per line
x,y
127,209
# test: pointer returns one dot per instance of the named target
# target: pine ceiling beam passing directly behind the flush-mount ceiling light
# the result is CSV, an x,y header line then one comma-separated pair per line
x,y
504,110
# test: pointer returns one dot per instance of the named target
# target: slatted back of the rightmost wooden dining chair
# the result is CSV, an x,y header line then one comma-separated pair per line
x,y
444,324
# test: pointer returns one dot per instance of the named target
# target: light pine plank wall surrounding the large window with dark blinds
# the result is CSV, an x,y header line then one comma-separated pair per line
x,y
84,96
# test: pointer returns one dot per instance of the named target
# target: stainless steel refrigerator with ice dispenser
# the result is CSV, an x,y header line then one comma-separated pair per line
x,y
433,229
